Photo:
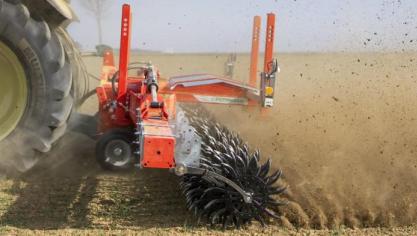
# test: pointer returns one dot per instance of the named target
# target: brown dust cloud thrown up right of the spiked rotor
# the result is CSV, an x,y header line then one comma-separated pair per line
x,y
344,132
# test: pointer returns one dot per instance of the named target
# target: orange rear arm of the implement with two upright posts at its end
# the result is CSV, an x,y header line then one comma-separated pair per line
x,y
206,88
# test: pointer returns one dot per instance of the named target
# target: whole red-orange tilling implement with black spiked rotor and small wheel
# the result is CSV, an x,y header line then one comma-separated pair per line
x,y
141,125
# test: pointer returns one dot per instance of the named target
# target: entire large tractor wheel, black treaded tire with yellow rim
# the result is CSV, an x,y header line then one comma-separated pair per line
x,y
35,90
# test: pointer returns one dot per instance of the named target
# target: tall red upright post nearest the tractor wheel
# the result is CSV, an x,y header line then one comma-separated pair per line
x,y
124,50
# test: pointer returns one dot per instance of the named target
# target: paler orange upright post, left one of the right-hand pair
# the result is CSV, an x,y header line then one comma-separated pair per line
x,y
253,76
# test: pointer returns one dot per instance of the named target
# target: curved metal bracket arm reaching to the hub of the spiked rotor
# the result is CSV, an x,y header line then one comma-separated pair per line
x,y
181,170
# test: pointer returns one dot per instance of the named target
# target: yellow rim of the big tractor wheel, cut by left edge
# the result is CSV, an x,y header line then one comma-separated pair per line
x,y
13,91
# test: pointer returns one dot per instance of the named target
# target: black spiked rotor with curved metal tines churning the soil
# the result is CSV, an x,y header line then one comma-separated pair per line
x,y
225,154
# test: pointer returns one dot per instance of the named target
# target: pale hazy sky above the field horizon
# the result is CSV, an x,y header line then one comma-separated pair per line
x,y
226,25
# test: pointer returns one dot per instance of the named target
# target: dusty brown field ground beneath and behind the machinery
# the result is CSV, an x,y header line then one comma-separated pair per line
x,y
343,131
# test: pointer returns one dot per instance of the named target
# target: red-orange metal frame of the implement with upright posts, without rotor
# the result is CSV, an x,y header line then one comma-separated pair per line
x,y
134,106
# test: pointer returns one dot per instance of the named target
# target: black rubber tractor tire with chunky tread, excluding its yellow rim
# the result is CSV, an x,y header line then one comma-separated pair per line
x,y
50,91
